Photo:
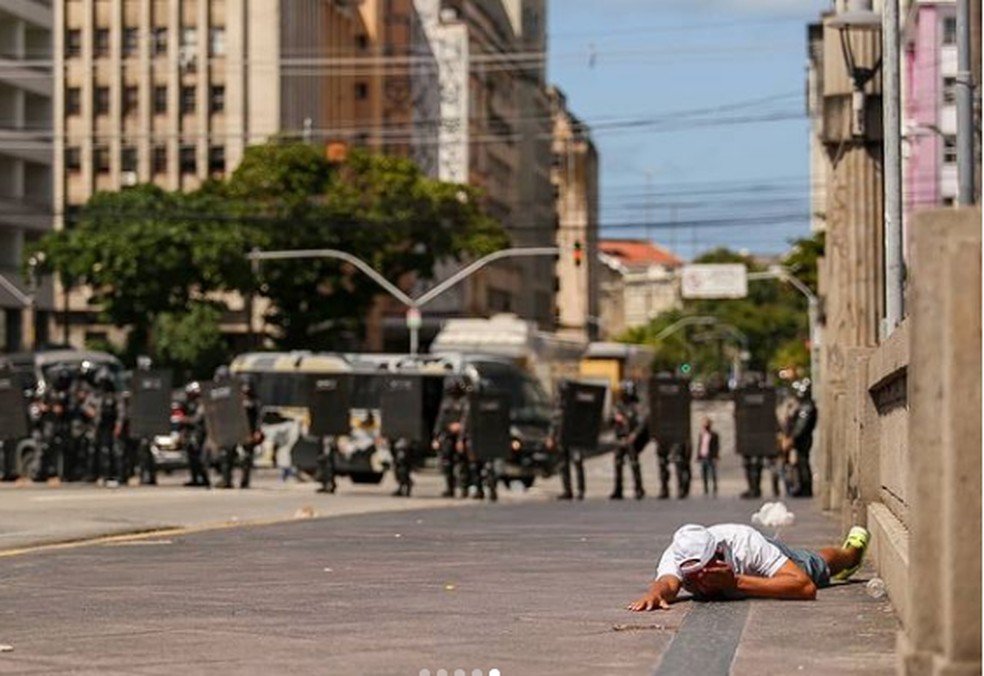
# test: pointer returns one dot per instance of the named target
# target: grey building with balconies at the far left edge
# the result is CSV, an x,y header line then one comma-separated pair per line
x,y
25,163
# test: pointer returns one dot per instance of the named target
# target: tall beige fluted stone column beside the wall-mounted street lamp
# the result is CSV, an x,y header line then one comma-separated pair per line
x,y
851,277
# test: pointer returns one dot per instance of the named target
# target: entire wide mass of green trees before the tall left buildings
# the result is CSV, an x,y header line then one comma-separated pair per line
x,y
151,257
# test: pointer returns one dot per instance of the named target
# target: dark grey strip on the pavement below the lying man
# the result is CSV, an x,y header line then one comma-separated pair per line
x,y
707,640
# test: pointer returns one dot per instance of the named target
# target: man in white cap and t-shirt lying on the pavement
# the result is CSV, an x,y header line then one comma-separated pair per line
x,y
732,561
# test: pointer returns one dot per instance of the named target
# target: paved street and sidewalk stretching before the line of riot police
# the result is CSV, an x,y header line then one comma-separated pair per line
x,y
528,586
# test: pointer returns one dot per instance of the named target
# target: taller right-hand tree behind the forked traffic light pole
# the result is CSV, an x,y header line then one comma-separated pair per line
x,y
380,209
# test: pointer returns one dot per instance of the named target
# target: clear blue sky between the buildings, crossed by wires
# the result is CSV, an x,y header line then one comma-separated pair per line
x,y
697,108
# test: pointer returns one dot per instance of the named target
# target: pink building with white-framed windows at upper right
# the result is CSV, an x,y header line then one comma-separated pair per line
x,y
929,115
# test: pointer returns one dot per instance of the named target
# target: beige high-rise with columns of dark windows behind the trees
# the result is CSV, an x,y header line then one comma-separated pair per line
x,y
171,92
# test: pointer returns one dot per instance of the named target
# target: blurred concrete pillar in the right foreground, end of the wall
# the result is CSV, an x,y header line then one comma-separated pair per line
x,y
942,625
